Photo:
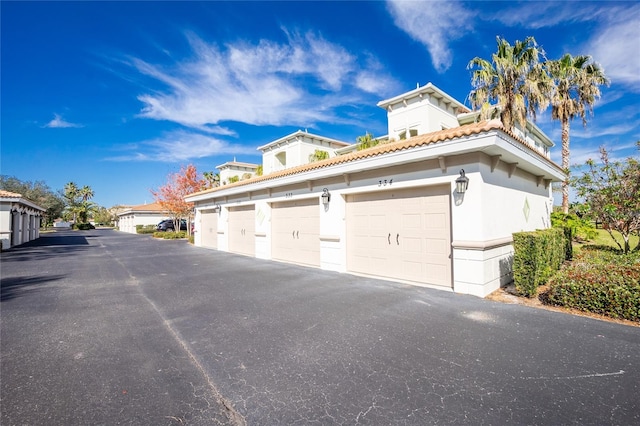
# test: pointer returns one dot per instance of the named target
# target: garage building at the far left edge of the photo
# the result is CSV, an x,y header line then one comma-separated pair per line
x,y
19,219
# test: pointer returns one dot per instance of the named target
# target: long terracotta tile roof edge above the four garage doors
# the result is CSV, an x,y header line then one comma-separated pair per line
x,y
385,148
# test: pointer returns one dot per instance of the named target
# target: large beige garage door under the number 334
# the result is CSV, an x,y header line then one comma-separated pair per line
x,y
402,234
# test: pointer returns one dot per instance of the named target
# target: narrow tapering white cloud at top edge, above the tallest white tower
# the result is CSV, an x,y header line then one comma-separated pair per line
x,y
434,24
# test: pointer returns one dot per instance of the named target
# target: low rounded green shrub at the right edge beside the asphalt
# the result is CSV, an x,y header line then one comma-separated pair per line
x,y
600,281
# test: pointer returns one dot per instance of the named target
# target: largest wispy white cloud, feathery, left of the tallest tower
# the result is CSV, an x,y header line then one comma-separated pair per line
x,y
300,82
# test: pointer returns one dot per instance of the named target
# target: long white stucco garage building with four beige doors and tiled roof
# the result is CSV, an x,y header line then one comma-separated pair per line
x,y
393,211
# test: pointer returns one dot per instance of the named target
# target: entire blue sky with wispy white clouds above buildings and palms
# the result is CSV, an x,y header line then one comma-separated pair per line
x,y
116,95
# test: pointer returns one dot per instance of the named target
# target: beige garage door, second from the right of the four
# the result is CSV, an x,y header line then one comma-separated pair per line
x,y
295,231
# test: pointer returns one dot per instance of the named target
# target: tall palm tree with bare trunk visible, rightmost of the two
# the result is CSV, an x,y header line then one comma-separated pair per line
x,y
577,82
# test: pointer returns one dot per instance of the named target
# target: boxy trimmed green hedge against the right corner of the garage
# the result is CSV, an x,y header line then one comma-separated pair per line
x,y
537,255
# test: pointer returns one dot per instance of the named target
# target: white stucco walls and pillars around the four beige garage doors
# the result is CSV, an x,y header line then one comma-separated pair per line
x,y
502,198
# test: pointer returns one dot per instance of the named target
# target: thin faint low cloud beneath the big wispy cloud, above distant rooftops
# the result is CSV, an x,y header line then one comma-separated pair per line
x,y
179,146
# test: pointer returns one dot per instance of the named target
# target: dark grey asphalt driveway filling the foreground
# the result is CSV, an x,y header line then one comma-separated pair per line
x,y
101,327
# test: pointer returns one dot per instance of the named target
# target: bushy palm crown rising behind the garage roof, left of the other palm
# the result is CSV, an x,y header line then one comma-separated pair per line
x,y
514,81
